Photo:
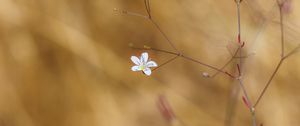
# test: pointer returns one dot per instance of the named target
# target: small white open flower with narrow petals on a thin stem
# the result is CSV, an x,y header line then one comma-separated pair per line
x,y
142,64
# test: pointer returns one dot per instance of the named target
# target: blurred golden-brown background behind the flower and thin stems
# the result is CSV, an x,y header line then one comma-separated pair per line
x,y
67,63
